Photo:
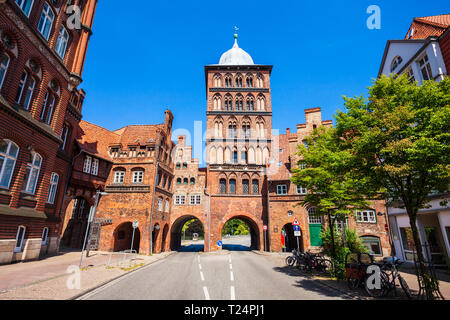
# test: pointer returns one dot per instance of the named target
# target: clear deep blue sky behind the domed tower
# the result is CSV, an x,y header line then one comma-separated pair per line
x,y
144,59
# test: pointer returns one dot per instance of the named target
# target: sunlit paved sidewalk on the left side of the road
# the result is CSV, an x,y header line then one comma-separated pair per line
x,y
47,279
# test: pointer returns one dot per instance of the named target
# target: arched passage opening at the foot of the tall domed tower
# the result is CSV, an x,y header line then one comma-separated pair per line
x,y
240,234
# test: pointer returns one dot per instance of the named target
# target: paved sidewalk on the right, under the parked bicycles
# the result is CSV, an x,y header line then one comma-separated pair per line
x,y
341,285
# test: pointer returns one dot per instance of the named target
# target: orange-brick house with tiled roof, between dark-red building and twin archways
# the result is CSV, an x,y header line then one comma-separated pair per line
x,y
139,185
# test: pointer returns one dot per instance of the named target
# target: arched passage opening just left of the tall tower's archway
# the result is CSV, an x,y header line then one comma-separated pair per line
x,y
187,234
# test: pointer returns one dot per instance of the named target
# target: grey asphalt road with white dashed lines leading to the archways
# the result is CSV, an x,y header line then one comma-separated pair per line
x,y
229,275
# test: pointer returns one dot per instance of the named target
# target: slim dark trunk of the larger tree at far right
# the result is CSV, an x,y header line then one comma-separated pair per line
x,y
424,274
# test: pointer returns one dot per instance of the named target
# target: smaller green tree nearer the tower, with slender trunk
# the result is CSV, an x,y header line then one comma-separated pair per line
x,y
333,188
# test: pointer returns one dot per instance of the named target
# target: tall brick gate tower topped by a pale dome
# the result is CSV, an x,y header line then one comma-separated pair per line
x,y
238,144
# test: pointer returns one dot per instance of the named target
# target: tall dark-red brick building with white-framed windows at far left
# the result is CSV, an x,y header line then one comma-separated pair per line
x,y
41,65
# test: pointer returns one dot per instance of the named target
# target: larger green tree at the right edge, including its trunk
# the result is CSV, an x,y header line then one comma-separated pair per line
x,y
399,138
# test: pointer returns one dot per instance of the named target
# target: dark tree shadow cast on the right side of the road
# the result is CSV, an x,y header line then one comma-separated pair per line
x,y
314,285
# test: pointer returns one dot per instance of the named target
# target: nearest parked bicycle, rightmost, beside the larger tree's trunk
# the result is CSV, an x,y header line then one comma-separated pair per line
x,y
389,274
